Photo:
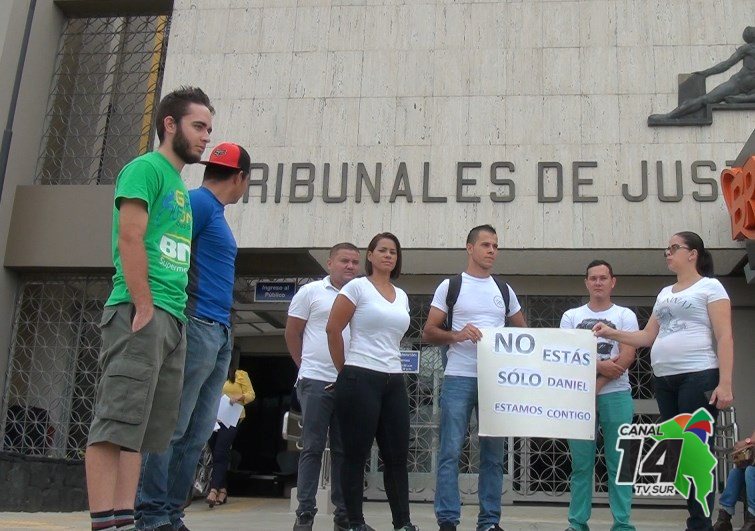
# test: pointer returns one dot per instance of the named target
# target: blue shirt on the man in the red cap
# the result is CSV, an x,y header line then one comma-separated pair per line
x,y
213,258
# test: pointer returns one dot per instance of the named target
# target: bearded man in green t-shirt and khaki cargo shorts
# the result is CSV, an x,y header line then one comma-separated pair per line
x,y
143,333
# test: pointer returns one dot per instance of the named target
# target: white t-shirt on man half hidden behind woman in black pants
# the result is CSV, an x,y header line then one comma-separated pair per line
x,y
312,303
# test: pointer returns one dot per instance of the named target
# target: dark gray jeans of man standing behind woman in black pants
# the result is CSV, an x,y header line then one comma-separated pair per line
x,y
317,405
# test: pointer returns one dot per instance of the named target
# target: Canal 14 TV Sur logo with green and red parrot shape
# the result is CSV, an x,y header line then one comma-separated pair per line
x,y
669,458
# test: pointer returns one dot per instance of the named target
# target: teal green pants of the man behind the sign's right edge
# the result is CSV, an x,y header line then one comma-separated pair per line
x,y
614,409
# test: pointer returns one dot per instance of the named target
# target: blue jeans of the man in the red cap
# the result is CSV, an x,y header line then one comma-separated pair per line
x,y
166,477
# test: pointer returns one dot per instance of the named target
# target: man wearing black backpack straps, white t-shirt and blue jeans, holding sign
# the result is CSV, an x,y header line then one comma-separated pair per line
x,y
460,307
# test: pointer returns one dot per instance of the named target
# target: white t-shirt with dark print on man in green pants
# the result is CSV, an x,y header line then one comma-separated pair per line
x,y
618,318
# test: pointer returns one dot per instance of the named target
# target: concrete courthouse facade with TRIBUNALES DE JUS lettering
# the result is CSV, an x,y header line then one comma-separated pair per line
x,y
423,118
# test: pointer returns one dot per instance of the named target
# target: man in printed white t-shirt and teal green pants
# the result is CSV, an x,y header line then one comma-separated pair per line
x,y
614,400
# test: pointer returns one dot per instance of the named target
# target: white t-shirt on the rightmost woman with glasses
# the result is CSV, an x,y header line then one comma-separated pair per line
x,y
685,341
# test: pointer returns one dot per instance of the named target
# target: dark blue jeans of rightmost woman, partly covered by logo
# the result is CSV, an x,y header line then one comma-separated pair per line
x,y
685,393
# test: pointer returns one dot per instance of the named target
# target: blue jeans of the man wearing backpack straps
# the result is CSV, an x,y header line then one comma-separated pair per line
x,y
458,398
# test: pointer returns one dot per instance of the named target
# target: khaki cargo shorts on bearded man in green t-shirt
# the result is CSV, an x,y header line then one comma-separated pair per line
x,y
139,391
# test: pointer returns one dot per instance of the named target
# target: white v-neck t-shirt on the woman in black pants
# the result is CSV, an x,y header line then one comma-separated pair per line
x,y
376,327
